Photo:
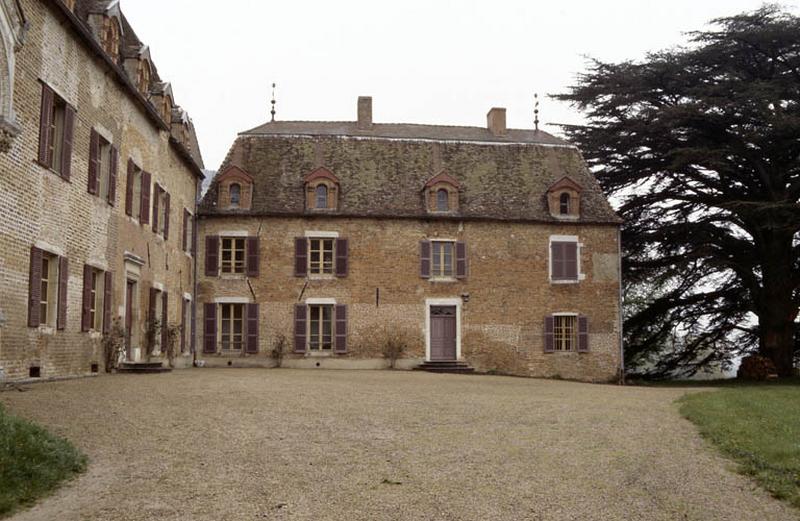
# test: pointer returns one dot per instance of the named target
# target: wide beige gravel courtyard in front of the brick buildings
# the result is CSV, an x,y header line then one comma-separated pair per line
x,y
242,444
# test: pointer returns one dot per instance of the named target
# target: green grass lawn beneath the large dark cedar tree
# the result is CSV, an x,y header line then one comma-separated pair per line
x,y
759,427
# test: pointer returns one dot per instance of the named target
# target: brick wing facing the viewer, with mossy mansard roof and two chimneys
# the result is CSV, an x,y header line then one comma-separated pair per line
x,y
489,248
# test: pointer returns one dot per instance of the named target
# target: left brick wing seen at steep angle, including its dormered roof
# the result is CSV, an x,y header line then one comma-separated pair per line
x,y
99,175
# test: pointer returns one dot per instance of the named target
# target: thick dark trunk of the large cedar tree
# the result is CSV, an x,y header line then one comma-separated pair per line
x,y
777,308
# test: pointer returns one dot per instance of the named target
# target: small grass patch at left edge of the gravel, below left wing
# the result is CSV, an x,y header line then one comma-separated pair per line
x,y
32,462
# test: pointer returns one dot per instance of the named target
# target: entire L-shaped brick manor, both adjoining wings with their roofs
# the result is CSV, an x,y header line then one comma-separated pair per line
x,y
483,248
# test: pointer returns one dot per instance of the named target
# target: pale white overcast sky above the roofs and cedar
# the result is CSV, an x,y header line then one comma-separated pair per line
x,y
440,62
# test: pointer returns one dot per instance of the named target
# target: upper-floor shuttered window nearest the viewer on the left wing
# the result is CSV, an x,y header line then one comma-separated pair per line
x,y
55,133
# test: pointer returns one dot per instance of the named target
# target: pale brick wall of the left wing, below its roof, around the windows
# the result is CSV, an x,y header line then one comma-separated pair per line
x,y
37,207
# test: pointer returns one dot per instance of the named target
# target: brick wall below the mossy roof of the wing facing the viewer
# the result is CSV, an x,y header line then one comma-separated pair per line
x,y
503,300
